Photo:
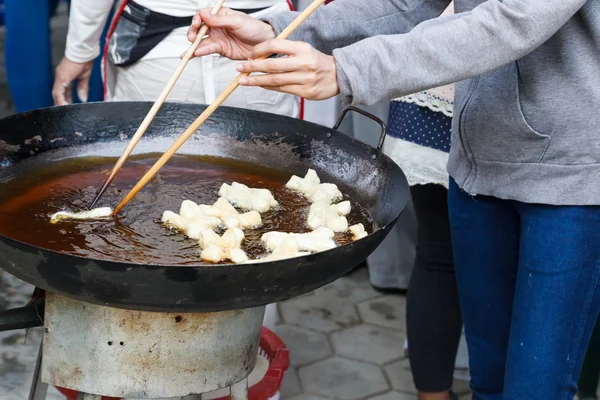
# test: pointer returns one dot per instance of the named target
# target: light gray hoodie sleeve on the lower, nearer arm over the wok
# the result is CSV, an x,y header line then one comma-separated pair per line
x,y
448,49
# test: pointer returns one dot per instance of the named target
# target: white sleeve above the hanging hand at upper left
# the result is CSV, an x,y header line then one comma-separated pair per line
x,y
86,23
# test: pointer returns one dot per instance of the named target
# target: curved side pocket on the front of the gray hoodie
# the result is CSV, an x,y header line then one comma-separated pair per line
x,y
493,124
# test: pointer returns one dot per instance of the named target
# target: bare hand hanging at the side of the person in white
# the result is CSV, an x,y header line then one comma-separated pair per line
x,y
66,72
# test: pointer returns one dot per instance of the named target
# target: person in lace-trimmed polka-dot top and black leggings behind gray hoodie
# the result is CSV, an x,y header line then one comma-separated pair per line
x,y
419,127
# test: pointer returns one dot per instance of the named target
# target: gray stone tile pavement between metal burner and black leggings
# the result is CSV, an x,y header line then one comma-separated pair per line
x,y
346,343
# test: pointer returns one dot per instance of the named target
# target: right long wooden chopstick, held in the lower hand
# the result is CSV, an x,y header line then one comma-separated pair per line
x,y
208,112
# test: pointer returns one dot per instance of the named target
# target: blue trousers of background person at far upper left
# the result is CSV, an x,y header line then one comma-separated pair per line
x,y
29,57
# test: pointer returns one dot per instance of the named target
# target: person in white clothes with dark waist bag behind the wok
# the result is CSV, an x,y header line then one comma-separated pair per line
x,y
146,40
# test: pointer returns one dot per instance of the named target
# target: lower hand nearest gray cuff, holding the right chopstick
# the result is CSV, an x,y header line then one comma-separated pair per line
x,y
304,71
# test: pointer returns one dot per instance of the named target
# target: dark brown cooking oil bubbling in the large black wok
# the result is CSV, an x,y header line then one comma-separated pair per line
x,y
136,235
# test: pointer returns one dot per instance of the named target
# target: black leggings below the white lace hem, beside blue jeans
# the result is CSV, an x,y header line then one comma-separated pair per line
x,y
433,316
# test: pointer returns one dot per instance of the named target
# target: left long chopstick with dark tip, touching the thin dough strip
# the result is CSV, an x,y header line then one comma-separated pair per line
x,y
156,106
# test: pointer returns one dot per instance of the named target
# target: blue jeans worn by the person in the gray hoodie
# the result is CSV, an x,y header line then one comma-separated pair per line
x,y
528,278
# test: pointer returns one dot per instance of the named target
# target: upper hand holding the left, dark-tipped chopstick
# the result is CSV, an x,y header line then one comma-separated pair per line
x,y
232,34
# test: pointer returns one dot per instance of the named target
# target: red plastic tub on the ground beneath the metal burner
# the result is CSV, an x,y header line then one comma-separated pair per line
x,y
271,347
